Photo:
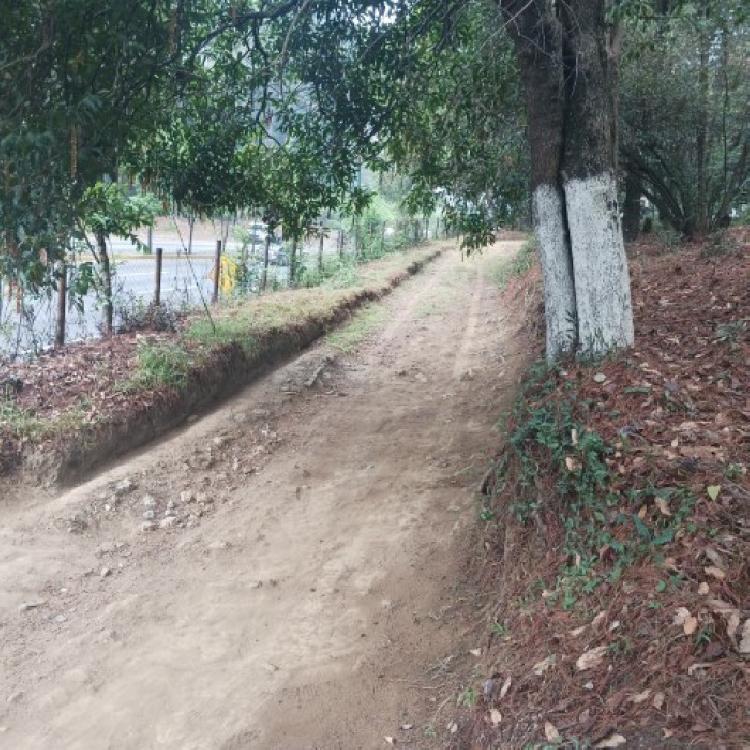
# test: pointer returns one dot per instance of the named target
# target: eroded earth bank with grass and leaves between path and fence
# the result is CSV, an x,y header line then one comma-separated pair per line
x,y
173,375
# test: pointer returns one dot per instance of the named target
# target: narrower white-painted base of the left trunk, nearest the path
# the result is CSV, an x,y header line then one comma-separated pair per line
x,y
557,271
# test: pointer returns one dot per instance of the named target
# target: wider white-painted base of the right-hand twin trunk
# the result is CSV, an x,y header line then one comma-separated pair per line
x,y
600,269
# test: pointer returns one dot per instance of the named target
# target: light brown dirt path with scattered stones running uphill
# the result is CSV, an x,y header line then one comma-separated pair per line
x,y
305,596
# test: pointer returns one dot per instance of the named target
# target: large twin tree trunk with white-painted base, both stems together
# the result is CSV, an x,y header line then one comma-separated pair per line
x,y
568,64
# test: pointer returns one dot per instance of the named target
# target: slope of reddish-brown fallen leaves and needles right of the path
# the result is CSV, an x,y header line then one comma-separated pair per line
x,y
617,529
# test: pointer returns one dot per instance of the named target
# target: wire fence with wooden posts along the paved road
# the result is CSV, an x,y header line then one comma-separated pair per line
x,y
156,287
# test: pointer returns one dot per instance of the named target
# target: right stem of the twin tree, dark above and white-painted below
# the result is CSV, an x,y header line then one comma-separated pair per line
x,y
600,270
